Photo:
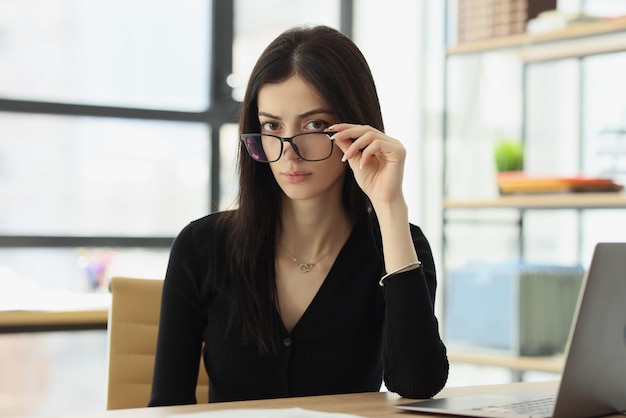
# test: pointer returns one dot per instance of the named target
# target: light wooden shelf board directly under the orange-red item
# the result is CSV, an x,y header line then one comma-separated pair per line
x,y
547,201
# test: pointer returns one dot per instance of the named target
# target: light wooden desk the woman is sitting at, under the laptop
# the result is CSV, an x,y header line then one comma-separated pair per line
x,y
373,405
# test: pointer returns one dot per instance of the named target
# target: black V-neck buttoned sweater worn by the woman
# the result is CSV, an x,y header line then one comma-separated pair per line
x,y
353,335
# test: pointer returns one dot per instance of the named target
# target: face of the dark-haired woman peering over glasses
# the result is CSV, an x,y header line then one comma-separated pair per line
x,y
290,108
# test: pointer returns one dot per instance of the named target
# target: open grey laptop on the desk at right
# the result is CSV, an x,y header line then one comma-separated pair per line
x,y
593,382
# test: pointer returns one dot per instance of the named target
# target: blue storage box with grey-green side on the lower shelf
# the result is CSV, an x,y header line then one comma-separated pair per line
x,y
523,309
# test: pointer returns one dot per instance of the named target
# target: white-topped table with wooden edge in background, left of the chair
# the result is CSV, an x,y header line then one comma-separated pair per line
x,y
54,311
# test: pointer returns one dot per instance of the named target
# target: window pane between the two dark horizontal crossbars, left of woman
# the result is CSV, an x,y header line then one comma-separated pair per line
x,y
101,176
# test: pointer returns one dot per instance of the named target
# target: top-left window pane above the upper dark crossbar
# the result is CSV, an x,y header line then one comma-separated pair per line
x,y
142,53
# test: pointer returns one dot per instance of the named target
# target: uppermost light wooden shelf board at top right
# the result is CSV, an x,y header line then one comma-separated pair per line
x,y
577,40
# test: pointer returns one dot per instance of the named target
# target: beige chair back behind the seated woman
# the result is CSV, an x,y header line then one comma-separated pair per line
x,y
132,333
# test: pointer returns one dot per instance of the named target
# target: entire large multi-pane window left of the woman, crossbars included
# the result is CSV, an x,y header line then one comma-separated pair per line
x,y
107,130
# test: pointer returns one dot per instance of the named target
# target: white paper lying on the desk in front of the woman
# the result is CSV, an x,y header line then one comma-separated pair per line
x,y
265,413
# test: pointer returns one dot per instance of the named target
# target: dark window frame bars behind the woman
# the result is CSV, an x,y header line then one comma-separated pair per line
x,y
223,110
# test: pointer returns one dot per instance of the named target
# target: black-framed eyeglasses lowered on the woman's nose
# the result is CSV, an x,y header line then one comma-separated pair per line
x,y
308,146
